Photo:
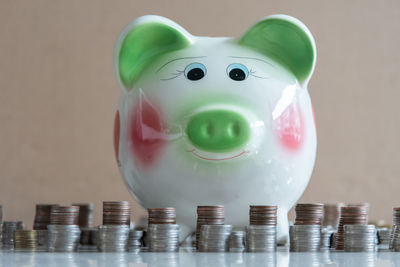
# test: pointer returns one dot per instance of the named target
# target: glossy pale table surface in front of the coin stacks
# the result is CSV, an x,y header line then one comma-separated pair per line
x,y
186,258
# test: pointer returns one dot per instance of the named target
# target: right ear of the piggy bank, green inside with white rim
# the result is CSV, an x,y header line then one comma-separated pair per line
x,y
286,40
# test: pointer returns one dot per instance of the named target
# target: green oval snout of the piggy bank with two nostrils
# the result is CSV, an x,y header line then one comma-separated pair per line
x,y
218,130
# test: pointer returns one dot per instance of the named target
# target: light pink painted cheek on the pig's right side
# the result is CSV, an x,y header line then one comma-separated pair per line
x,y
289,128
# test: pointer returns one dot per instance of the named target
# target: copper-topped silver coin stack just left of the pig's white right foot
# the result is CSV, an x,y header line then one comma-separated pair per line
x,y
261,233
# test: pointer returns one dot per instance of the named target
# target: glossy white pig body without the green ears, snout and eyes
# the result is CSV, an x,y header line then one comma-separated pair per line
x,y
271,171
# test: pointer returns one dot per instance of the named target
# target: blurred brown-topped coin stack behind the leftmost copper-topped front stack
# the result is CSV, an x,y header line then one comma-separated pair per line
x,y
42,219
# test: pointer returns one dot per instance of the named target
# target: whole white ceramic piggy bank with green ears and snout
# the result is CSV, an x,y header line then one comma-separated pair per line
x,y
216,120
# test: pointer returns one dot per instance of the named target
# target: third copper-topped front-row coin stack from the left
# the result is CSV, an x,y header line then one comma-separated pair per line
x,y
163,232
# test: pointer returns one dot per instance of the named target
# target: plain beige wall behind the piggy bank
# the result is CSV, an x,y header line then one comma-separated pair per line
x,y
58,95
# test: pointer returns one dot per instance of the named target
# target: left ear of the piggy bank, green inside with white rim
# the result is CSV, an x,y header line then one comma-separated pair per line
x,y
142,42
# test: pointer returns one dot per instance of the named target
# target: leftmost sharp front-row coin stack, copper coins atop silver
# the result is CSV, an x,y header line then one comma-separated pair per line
x,y
63,230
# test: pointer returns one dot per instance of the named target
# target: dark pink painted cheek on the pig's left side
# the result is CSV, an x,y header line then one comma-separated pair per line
x,y
147,133
